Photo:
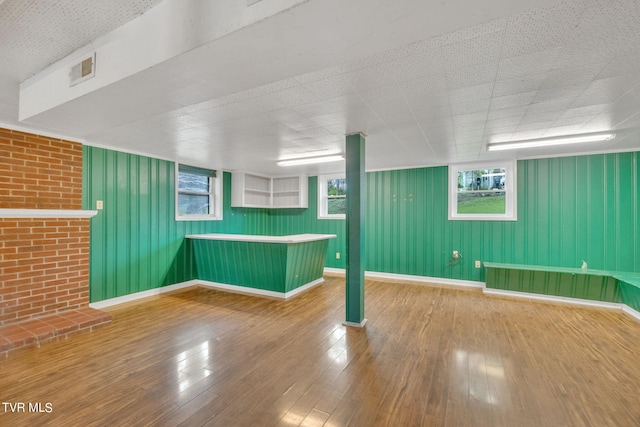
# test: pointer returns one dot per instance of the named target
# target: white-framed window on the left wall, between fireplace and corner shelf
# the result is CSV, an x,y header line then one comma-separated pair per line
x,y
198,194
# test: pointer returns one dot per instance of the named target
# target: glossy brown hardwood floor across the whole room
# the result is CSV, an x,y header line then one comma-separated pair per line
x,y
429,356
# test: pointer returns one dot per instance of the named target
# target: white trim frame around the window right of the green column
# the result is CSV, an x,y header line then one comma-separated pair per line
x,y
511,185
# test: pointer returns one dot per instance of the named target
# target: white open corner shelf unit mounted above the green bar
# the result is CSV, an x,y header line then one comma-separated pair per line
x,y
251,190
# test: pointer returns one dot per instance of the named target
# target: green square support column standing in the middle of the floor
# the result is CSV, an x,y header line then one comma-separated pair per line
x,y
356,192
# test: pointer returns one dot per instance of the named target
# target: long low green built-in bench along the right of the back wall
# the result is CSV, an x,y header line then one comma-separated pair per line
x,y
600,287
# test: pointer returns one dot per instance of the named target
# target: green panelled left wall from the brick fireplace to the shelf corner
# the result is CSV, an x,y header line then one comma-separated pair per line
x,y
136,244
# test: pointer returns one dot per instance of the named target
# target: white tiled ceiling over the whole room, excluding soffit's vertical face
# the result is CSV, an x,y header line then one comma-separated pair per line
x,y
427,83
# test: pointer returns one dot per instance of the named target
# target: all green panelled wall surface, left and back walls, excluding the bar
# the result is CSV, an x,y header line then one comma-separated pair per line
x,y
569,209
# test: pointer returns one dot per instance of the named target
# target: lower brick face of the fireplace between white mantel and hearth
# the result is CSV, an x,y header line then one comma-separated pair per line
x,y
44,266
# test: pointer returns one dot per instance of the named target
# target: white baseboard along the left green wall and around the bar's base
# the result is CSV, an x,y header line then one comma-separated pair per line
x,y
233,288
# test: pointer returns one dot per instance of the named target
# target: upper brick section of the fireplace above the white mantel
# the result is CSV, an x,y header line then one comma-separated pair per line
x,y
38,172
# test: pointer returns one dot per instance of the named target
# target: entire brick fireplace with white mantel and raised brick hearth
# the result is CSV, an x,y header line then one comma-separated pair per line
x,y
44,242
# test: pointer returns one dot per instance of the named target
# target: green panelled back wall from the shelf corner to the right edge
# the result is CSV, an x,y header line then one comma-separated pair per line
x,y
569,209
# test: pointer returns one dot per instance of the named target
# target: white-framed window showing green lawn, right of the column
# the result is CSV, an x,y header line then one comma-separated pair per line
x,y
483,191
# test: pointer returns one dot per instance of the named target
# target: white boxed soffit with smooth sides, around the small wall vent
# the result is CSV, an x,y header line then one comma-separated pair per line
x,y
233,47
